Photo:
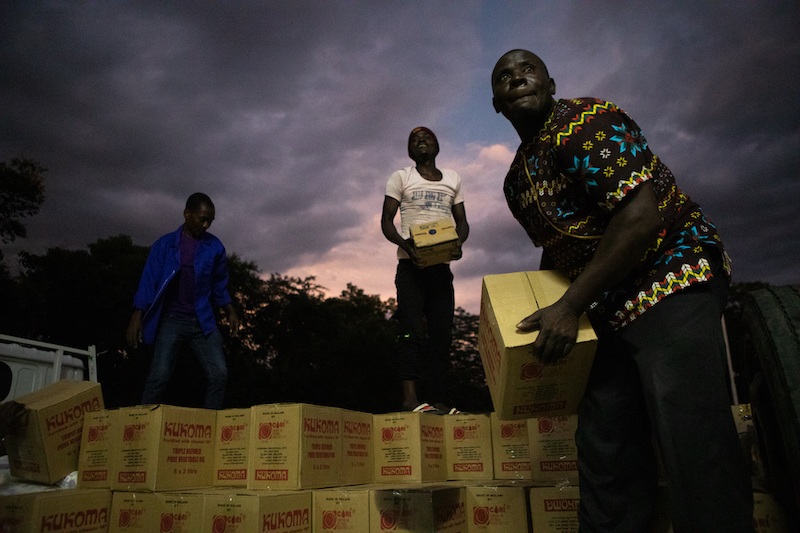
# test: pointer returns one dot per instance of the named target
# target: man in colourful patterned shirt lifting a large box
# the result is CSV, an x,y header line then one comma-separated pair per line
x,y
652,274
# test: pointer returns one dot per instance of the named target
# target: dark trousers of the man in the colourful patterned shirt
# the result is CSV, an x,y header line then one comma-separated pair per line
x,y
663,375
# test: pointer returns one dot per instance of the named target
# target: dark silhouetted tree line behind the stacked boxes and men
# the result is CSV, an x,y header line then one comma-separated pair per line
x,y
295,345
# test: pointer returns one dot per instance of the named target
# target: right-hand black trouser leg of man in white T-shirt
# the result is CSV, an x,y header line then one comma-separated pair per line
x,y
439,309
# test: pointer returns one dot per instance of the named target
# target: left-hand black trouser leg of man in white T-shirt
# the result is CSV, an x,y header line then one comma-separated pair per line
x,y
411,332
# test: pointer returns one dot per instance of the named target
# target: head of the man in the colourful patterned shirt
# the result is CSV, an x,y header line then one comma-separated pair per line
x,y
521,87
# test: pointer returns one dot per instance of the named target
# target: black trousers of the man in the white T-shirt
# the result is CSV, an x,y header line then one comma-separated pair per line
x,y
425,296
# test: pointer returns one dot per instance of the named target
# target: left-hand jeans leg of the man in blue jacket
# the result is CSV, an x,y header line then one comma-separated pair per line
x,y
173,333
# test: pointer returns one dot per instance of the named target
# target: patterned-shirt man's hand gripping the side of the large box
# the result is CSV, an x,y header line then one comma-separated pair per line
x,y
558,330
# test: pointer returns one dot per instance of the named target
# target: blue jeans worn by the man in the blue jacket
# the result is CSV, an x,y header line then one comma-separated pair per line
x,y
174,333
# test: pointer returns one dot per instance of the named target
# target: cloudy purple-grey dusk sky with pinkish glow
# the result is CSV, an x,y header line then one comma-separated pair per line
x,y
292,116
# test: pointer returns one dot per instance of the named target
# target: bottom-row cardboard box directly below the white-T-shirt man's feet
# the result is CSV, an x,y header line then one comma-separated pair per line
x,y
418,509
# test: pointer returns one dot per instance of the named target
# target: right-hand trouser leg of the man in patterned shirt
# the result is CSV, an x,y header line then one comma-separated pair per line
x,y
681,359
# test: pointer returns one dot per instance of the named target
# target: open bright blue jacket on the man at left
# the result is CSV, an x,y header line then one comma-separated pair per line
x,y
163,262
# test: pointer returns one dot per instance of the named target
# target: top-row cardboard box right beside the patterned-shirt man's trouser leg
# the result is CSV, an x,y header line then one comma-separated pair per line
x,y
554,456
